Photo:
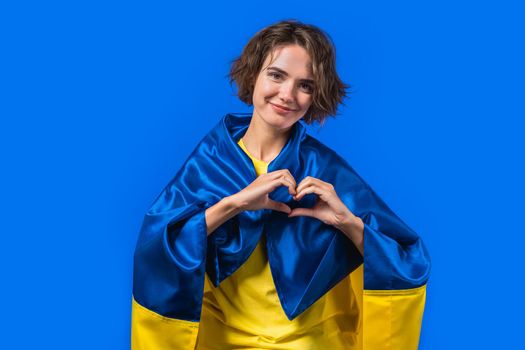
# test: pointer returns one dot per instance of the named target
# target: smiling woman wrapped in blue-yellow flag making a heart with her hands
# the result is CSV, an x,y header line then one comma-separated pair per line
x,y
258,241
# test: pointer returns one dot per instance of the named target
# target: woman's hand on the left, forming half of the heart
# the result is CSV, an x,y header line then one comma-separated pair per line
x,y
255,196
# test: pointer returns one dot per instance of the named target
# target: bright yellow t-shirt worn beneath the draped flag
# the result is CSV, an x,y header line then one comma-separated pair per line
x,y
244,310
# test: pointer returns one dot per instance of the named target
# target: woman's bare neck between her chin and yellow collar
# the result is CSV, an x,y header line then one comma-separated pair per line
x,y
264,142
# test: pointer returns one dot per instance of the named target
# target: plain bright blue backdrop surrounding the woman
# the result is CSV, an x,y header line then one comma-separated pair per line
x,y
101,102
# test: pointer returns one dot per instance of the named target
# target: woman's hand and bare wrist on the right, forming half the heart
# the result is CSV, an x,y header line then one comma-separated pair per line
x,y
329,209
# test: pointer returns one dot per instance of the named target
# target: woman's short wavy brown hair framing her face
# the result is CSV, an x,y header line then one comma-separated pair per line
x,y
329,90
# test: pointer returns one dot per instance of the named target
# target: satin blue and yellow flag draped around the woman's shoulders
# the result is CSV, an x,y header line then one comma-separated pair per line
x,y
174,253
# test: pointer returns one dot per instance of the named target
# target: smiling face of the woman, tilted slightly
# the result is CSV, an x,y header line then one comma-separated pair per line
x,y
283,89
